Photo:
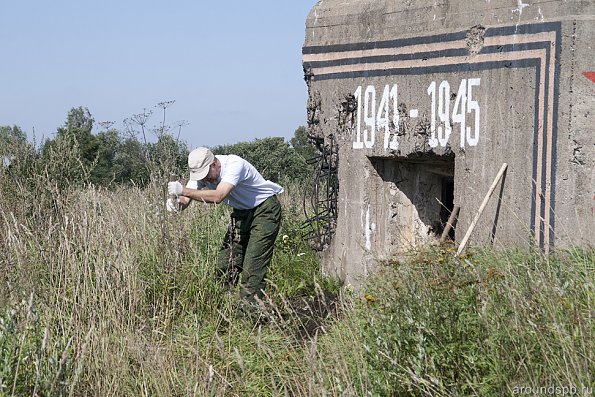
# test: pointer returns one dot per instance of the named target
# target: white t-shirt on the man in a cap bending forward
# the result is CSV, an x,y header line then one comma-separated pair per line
x,y
250,188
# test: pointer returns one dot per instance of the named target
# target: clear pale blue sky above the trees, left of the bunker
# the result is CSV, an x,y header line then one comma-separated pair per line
x,y
233,67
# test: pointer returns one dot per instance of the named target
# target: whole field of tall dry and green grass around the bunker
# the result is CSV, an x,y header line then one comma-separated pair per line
x,y
102,292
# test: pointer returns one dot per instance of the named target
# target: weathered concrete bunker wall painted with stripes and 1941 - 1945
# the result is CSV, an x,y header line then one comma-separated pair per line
x,y
419,94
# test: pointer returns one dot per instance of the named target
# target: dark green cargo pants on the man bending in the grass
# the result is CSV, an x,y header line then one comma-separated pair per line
x,y
248,247
